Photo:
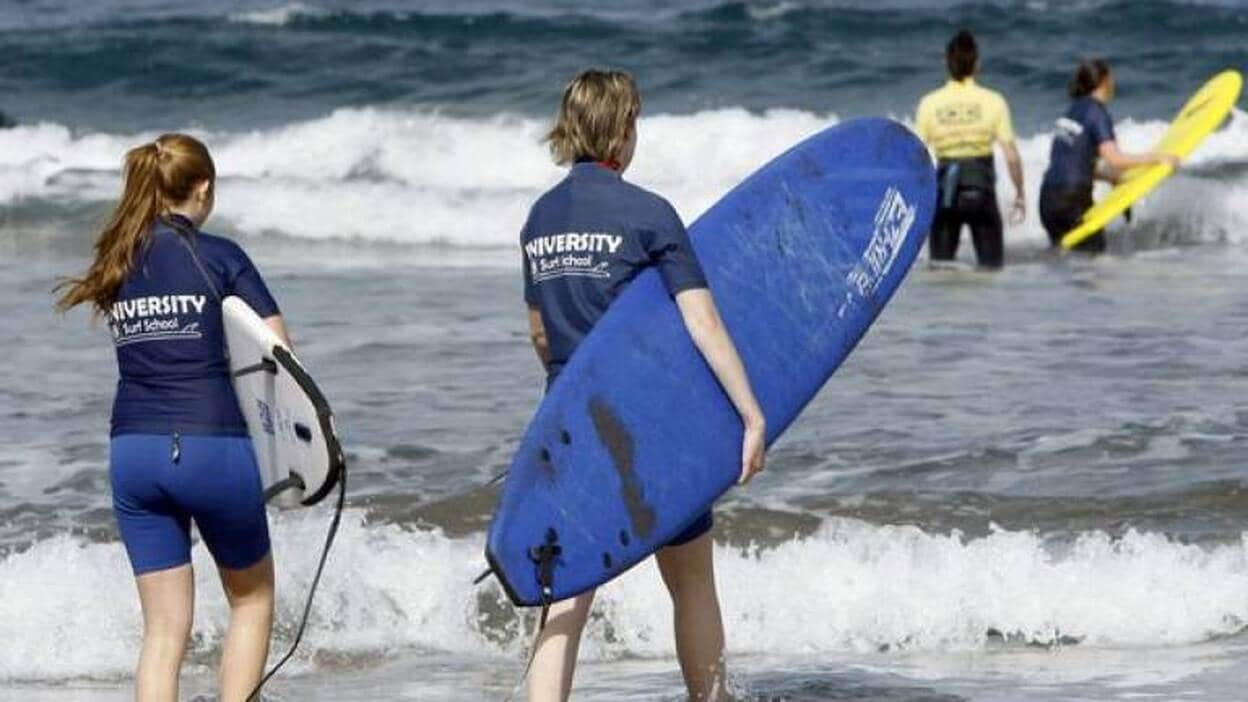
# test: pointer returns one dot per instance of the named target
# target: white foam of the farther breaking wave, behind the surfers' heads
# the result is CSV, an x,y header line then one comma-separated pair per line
x,y
424,178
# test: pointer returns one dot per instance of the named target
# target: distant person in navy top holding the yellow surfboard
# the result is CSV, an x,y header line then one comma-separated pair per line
x,y
1081,137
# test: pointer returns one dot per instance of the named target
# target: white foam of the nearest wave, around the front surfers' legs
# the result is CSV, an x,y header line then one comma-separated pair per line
x,y
851,588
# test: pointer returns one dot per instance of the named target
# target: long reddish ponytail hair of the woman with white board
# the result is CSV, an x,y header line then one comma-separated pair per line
x,y
158,175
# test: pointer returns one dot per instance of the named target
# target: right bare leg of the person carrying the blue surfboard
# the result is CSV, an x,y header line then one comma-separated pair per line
x,y
690,573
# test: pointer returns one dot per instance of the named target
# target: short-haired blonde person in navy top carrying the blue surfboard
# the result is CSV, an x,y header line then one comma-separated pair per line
x,y
622,230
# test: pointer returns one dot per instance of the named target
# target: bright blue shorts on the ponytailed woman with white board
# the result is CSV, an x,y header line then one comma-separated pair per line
x,y
160,483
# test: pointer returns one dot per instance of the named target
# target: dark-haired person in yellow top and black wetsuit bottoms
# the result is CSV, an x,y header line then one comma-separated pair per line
x,y
960,123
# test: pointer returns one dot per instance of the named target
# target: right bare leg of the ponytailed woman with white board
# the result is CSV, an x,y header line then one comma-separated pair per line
x,y
250,593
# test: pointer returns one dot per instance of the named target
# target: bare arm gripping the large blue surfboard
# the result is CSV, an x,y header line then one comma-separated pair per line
x,y
707,330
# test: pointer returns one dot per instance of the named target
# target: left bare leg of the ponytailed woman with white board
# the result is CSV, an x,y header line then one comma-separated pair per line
x,y
168,600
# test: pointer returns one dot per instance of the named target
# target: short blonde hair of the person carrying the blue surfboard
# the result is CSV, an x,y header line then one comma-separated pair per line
x,y
596,117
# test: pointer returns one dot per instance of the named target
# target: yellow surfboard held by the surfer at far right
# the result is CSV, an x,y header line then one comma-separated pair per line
x,y
1202,114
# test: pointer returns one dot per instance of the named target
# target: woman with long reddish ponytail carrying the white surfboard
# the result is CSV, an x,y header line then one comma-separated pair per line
x,y
180,450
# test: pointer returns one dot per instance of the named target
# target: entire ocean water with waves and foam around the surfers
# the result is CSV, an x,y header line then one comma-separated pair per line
x,y
1026,487
